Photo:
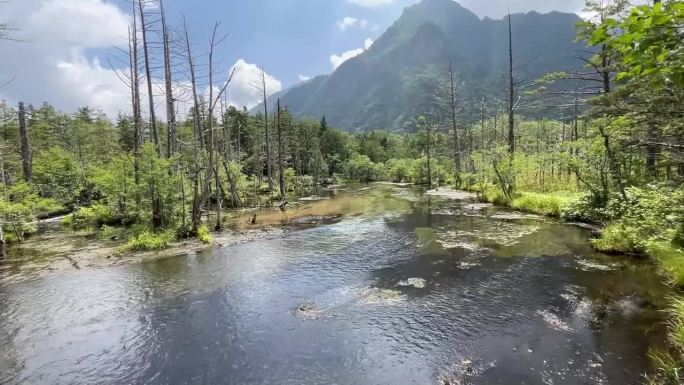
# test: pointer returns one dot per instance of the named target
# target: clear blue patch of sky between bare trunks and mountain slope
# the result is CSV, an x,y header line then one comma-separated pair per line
x,y
289,37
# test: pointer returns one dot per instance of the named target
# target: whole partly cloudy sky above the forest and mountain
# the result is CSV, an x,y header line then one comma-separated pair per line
x,y
67,50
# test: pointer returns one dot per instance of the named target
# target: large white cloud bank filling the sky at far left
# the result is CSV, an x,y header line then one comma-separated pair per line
x,y
51,63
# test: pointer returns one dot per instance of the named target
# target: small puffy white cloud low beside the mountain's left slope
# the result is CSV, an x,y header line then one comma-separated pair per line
x,y
244,89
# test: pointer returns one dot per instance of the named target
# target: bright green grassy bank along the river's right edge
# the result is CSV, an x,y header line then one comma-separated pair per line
x,y
625,235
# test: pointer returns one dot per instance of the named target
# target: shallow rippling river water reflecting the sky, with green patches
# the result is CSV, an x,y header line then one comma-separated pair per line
x,y
402,289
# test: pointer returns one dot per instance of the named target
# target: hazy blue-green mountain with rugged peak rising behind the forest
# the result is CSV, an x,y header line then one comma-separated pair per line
x,y
385,85
